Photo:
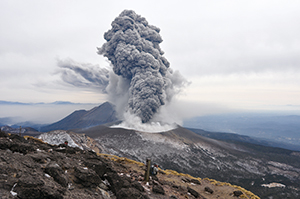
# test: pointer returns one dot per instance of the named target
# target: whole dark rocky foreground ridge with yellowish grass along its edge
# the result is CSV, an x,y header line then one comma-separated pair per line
x,y
30,168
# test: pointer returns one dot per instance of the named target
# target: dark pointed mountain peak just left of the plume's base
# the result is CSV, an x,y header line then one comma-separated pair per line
x,y
102,114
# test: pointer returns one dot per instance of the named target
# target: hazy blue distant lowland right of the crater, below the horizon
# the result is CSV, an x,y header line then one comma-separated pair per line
x,y
272,127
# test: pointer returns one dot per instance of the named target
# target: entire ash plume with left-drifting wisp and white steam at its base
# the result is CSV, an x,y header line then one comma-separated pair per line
x,y
141,84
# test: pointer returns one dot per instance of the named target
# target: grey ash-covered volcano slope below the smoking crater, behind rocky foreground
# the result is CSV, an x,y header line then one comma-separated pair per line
x,y
247,165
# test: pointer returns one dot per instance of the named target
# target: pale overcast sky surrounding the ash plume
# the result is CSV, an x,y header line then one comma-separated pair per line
x,y
237,55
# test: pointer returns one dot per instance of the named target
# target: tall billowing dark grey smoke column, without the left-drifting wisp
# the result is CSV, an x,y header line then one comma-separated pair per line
x,y
133,49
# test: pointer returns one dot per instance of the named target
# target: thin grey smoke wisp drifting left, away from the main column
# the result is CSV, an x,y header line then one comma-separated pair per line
x,y
84,75
